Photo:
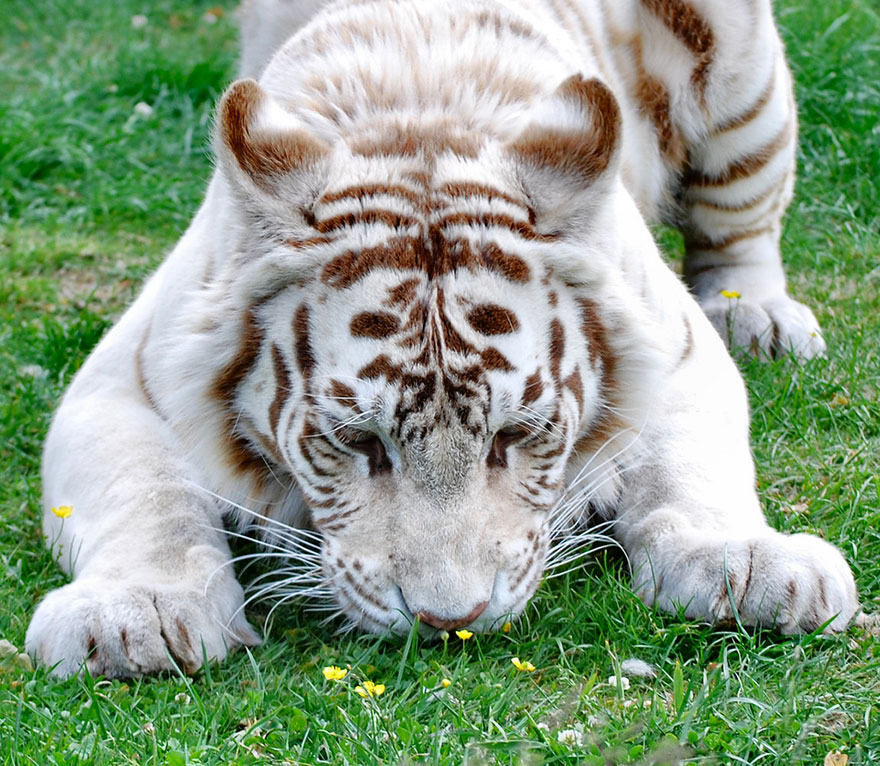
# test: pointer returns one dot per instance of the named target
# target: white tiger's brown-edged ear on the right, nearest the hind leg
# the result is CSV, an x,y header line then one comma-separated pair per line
x,y
570,150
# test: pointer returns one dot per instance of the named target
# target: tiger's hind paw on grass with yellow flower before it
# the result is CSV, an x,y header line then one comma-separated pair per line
x,y
770,328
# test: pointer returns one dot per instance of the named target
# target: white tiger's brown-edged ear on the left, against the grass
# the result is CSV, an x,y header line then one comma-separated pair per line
x,y
258,140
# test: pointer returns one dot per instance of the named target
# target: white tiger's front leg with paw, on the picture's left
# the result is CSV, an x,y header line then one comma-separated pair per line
x,y
152,585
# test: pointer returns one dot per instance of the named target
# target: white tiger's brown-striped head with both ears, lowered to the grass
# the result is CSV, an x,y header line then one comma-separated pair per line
x,y
436,346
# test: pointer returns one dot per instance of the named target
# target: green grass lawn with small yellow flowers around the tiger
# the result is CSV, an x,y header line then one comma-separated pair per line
x,y
92,193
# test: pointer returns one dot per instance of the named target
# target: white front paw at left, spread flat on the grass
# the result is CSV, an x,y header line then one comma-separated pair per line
x,y
125,630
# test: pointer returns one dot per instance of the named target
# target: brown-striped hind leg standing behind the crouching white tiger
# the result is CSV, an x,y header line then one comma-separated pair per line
x,y
734,194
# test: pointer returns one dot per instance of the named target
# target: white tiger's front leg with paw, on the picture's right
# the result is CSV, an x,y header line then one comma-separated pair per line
x,y
691,522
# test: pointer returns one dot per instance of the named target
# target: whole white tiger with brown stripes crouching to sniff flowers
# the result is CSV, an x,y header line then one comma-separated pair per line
x,y
420,317
